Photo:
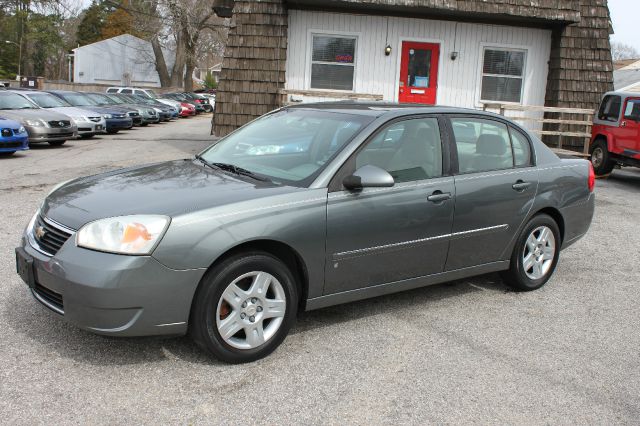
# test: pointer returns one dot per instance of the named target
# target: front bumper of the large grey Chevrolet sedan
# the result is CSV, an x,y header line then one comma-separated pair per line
x,y
113,294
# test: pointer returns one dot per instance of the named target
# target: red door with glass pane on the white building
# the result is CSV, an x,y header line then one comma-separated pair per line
x,y
419,72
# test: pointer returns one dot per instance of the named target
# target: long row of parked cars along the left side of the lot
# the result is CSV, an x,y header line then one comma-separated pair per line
x,y
55,116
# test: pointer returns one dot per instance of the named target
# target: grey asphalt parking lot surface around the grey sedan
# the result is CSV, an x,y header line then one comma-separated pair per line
x,y
469,351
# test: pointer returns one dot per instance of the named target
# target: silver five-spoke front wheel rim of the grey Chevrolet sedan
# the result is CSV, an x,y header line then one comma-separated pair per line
x,y
251,310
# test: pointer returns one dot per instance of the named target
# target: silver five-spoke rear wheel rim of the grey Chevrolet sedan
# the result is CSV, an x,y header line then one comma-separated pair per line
x,y
539,252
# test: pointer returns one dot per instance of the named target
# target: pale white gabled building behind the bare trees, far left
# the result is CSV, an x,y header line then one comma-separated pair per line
x,y
123,60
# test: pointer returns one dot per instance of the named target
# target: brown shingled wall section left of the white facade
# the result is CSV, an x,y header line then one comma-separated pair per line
x,y
253,69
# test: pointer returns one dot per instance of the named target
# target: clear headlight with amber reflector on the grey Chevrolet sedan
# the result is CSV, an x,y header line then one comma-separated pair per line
x,y
136,234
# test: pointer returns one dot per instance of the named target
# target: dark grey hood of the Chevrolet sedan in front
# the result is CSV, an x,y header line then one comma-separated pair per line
x,y
171,188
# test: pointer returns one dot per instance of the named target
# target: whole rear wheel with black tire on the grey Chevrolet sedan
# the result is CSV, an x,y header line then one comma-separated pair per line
x,y
530,273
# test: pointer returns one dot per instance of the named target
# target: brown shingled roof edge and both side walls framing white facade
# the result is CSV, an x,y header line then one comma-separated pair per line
x,y
580,67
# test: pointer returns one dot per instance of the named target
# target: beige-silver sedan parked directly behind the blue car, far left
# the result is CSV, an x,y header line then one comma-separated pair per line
x,y
42,125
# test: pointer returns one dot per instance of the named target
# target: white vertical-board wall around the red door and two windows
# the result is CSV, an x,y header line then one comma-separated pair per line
x,y
458,81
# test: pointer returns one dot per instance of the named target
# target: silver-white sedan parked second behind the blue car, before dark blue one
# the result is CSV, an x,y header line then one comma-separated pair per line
x,y
88,122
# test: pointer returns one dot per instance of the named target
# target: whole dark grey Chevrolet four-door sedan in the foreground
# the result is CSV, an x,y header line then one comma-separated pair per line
x,y
375,199
